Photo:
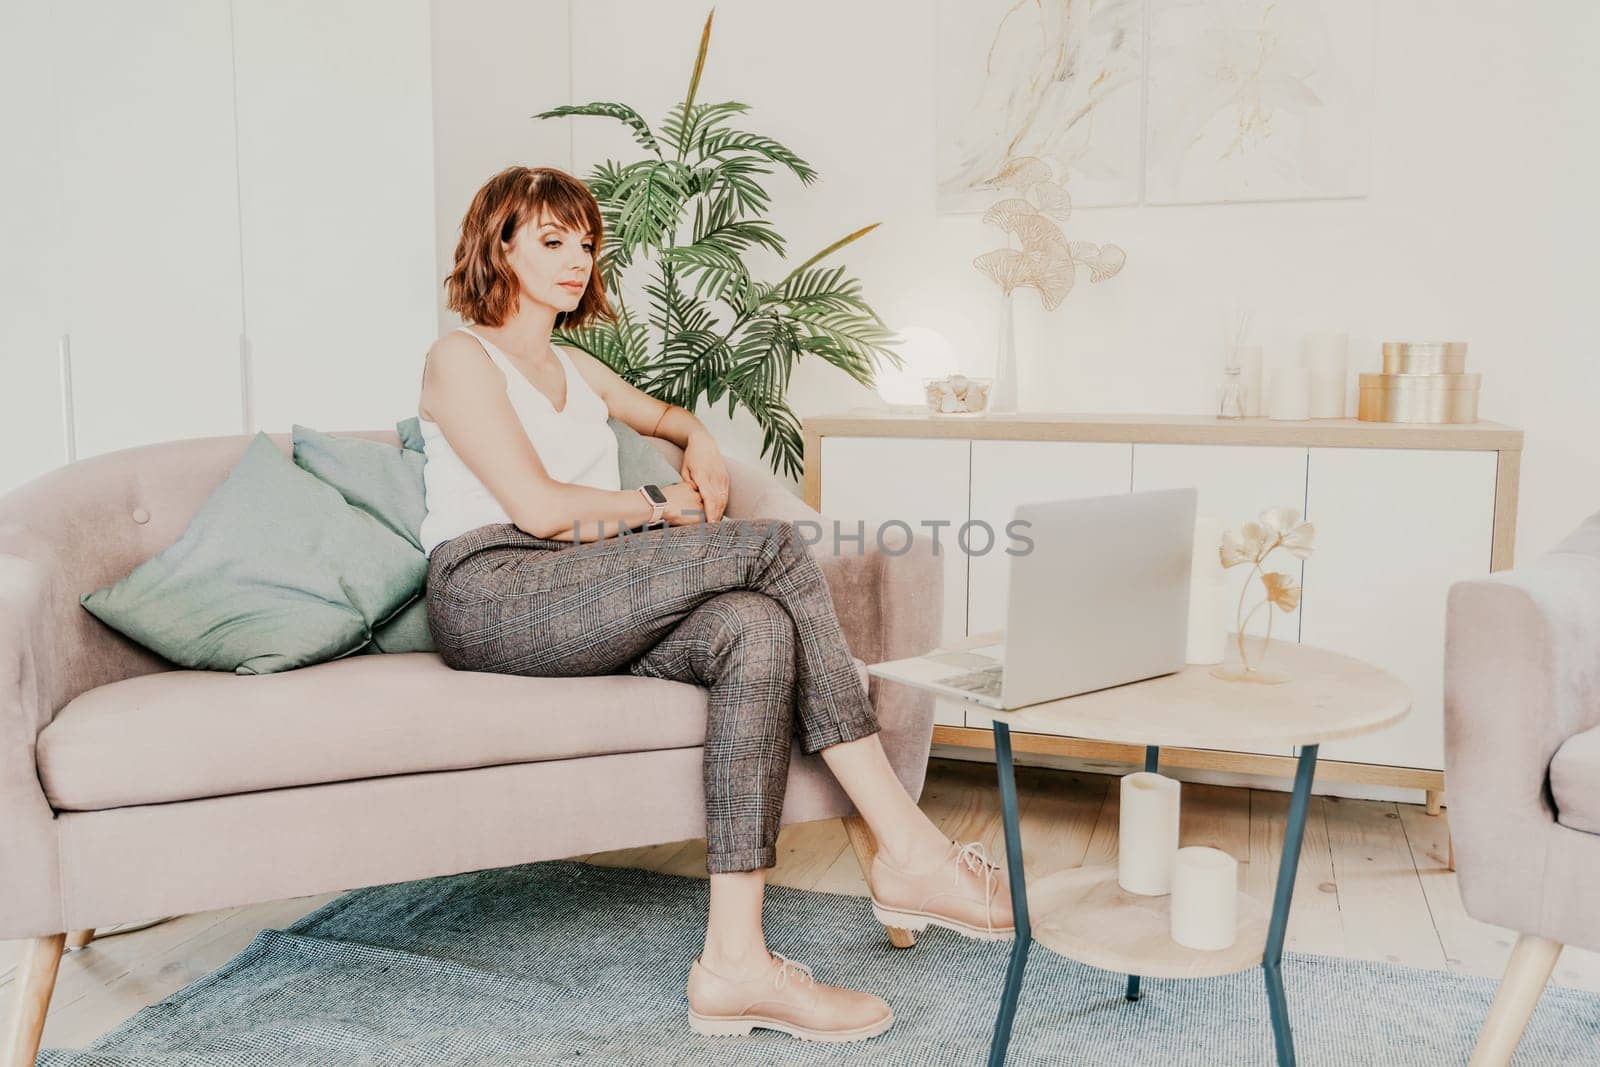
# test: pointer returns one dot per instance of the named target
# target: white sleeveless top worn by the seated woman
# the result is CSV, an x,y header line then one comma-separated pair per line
x,y
575,446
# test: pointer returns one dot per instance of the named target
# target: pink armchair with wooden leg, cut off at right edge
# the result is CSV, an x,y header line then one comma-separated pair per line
x,y
1522,759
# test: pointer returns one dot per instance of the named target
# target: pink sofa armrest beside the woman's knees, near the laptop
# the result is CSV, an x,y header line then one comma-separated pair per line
x,y
890,605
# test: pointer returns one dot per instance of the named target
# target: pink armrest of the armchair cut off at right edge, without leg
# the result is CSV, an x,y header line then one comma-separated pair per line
x,y
1522,674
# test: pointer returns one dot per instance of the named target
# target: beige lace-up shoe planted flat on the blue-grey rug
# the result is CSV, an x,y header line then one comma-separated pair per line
x,y
786,999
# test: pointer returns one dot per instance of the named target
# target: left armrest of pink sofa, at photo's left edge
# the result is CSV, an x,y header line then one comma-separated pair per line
x,y
30,874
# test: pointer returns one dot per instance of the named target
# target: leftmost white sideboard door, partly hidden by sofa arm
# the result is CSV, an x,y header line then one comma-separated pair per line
x,y
916,482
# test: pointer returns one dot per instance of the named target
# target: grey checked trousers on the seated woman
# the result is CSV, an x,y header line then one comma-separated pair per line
x,y
738,607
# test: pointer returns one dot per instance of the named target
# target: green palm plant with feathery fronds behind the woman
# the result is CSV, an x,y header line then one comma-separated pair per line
x,y
681,220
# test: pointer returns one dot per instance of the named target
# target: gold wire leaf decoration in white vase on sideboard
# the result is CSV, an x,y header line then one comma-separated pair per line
x,y
1047,262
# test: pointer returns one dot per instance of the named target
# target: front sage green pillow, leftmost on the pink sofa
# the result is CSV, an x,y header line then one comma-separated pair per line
x,y
274,572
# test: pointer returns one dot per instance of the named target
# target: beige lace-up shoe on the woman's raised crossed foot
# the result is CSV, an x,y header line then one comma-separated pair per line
x,y
964,892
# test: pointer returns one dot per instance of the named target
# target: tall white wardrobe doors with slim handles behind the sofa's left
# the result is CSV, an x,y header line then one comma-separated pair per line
x,y
186,180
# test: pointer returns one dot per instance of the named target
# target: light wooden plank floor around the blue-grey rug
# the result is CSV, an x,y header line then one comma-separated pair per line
x,y
1372,885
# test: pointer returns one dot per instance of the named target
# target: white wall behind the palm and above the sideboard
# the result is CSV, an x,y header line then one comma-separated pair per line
x,y
1479,226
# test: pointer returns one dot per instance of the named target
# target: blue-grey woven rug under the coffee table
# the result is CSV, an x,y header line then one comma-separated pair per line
x,y
569,962
